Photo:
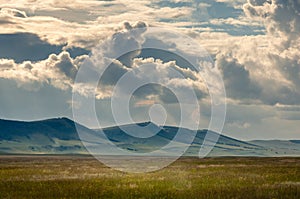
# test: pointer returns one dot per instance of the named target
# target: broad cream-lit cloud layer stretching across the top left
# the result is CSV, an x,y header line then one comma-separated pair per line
x,y
47,19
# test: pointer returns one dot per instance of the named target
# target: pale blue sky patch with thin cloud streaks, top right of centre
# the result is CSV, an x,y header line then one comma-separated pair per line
x,y
206,10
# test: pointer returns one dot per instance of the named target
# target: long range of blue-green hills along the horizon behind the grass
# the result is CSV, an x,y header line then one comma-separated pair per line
x,y
59,136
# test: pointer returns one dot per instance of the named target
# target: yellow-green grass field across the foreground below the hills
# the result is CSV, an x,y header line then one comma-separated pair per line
x,y
85,177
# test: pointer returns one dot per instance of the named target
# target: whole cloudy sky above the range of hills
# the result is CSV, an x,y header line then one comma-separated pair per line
x,y
255,44
